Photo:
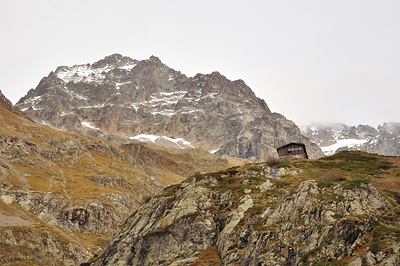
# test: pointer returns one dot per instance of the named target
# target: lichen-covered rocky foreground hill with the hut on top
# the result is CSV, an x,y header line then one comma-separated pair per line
x,y
338,210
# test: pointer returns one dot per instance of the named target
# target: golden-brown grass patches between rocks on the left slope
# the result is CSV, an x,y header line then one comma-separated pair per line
x,y
67,174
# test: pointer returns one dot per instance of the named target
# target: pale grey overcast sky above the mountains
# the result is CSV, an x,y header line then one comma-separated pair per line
x,y
312,61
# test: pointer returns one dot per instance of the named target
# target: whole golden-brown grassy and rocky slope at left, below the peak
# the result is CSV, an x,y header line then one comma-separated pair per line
x,y
64,195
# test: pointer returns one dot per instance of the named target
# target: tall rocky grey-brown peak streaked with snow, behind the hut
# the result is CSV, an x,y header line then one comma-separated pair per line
x,y
121,98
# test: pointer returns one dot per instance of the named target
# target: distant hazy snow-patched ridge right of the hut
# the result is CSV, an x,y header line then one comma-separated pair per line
x,y
383,140
